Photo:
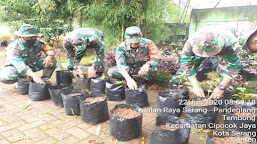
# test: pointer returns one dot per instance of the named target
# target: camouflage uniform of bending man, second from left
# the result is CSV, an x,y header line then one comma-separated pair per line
x,y
75,45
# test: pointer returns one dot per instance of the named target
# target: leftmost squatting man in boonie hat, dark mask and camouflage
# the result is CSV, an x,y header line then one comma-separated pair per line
x,y
24,57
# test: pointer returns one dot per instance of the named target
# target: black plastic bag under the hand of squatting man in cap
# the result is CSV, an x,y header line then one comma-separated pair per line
x,y
137,97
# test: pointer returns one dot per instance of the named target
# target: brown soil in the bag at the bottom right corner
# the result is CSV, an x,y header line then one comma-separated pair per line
x,y
228,140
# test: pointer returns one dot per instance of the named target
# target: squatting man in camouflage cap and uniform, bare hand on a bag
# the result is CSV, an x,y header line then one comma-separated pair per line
x,y
135,56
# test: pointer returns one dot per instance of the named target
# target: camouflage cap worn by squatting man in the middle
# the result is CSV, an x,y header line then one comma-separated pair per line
x,y
133,34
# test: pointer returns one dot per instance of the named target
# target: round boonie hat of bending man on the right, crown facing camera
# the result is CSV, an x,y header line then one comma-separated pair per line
x,y
207,44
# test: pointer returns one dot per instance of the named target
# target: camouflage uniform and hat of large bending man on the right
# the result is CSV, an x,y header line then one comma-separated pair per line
x,y
210,40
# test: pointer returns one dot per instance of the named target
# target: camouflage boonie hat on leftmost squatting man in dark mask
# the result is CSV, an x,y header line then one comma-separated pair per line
x,y
27,30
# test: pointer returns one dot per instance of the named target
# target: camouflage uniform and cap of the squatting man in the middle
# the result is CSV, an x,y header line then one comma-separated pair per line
x,y
132,59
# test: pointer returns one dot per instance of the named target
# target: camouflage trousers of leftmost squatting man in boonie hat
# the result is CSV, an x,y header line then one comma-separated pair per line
x,y
9,73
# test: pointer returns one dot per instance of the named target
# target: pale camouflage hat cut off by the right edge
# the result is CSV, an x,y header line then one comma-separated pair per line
x,y
244,35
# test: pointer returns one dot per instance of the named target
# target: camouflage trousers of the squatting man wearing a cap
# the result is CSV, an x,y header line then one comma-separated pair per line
x,y
114,72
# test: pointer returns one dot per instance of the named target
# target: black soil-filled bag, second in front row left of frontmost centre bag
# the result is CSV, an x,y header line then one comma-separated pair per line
x,y
72,103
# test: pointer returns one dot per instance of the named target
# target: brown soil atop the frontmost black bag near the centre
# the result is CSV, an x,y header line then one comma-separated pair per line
x,y
126,112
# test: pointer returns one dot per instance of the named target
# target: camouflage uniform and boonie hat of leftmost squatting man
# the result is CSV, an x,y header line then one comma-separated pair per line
x,y
21,57
